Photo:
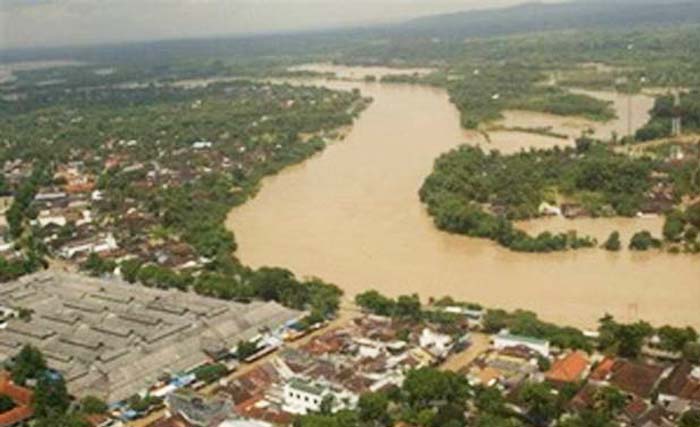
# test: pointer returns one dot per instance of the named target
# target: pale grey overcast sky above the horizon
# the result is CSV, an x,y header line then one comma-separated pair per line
x,y
34,23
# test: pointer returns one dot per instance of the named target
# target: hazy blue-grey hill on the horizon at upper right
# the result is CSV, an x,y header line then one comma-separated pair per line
x,y
534,17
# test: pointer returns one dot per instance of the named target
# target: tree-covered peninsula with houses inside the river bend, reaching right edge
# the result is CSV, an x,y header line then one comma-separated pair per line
x,y
480,194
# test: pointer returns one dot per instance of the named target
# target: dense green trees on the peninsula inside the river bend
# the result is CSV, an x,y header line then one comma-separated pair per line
x,y
478,194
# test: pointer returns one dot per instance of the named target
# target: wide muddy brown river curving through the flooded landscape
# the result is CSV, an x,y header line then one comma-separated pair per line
x,y
351,215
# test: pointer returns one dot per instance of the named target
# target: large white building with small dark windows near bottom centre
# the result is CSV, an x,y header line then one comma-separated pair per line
x,y
302,396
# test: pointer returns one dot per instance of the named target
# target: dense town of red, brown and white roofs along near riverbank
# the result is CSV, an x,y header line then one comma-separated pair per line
x,y
373,354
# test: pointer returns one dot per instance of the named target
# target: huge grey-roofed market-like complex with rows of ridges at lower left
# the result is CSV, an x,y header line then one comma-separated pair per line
x,y
112,339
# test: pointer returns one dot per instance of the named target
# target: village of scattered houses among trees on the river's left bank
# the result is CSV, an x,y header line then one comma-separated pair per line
x,y
112,199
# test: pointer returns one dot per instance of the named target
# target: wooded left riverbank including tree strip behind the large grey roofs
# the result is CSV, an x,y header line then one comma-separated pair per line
x,y
166,165
